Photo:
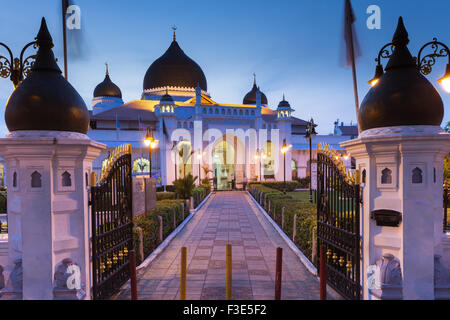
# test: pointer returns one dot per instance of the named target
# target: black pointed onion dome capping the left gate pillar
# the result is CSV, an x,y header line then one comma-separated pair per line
x,y
45,100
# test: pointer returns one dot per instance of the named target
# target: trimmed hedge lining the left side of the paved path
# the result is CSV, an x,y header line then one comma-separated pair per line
x,y
150,224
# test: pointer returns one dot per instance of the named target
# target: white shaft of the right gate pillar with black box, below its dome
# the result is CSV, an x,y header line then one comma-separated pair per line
x,y
401,217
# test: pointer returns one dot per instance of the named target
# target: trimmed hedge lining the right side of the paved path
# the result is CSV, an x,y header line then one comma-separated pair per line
x,y
306,214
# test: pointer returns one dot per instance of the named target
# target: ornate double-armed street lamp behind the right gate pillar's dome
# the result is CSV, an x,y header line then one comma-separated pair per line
x,y
423,63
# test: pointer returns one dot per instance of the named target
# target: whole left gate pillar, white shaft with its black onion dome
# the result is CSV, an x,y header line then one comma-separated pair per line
x,y
48,160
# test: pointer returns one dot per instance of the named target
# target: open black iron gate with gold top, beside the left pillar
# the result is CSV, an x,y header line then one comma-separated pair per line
x,y
112,226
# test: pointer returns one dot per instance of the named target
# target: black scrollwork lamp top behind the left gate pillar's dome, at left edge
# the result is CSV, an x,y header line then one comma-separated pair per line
x,y
16,68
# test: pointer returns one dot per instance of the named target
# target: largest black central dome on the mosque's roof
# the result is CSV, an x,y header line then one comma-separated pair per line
x,y
175,69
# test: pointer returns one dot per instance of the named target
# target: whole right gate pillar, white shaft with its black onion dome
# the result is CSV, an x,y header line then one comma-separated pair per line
x,y
400,153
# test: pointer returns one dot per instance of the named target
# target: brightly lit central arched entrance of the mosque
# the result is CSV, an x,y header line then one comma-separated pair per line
x,y
224,165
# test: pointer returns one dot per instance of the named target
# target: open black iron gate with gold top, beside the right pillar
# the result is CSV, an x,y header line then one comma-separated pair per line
x,y
338,200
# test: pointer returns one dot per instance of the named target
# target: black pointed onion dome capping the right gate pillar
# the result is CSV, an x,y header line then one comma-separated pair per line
x,y
402,96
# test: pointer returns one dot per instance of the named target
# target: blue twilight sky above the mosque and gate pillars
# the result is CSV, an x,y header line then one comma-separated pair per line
x,y
294,47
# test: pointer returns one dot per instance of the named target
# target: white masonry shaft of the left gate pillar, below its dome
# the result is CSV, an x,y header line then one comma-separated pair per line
x,y
48,213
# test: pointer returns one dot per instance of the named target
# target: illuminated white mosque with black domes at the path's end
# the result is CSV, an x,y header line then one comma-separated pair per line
x,y
231,143
